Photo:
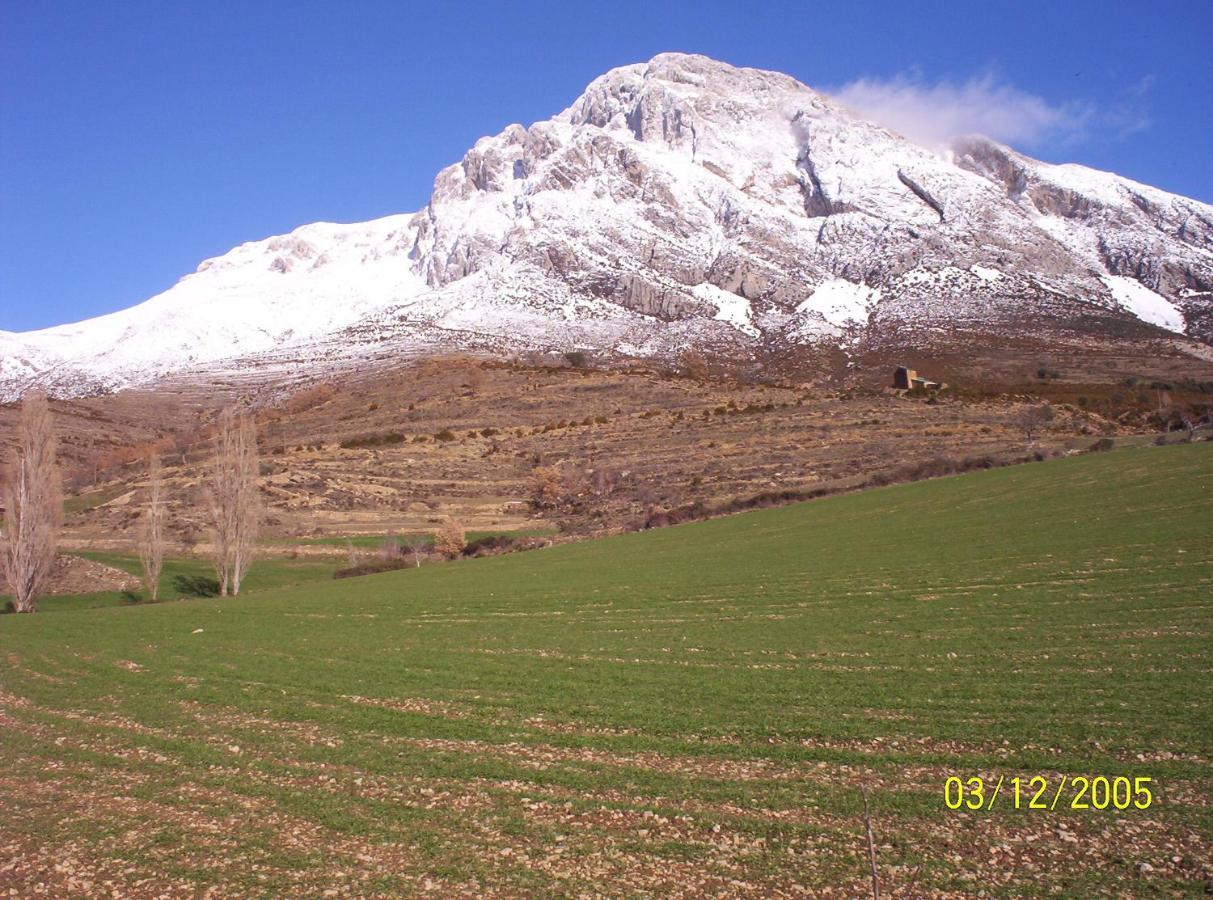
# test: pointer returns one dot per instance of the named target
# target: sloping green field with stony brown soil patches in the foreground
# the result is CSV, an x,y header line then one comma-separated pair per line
x,y
690,711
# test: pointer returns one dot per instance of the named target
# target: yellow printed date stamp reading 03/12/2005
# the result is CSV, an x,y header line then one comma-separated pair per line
x,y
1040,793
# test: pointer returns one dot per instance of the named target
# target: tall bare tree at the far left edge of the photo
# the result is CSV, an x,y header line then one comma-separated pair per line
x,y
33,502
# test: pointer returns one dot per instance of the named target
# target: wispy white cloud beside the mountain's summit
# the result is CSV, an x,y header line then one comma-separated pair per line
x,y
935,113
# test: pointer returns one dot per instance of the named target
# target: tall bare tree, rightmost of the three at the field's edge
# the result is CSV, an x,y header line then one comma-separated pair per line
x,y
235,506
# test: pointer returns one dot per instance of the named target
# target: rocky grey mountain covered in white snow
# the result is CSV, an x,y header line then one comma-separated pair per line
x,y
681,203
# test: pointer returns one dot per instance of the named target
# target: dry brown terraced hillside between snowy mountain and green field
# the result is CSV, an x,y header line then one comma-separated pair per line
x,y
505,447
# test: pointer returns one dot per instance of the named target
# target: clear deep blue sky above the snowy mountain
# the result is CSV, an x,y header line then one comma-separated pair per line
x,y
140,138
